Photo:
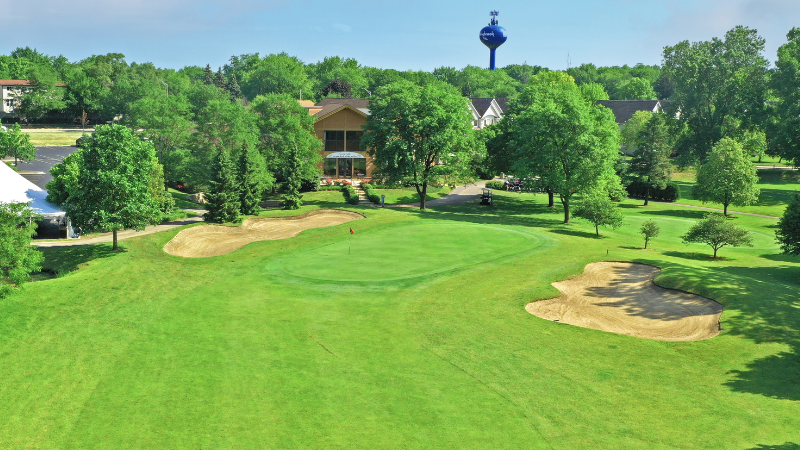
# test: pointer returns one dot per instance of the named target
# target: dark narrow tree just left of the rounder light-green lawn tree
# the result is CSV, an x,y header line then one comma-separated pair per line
x,y
651,158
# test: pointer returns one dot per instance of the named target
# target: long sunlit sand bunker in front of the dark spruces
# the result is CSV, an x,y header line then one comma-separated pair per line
x,y
215,240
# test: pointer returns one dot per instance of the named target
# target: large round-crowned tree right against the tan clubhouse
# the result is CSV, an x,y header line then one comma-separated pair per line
x,y
418,134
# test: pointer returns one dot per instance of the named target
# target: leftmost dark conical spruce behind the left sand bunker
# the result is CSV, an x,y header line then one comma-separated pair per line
x,y
223,198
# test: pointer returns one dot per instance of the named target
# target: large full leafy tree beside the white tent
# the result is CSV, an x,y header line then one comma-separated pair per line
x,y
113,190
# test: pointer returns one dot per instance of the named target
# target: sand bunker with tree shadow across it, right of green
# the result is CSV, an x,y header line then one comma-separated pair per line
x,y
622,298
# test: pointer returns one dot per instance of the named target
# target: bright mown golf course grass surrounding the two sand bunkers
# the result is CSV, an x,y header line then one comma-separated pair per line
x,y
260,348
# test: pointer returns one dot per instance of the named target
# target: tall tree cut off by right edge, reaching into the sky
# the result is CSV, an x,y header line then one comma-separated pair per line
x,y
784,129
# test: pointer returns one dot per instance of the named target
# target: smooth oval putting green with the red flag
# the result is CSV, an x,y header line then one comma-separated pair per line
x,y
410,251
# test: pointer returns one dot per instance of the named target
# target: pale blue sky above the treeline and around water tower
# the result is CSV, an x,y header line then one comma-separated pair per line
x,y
409,34
